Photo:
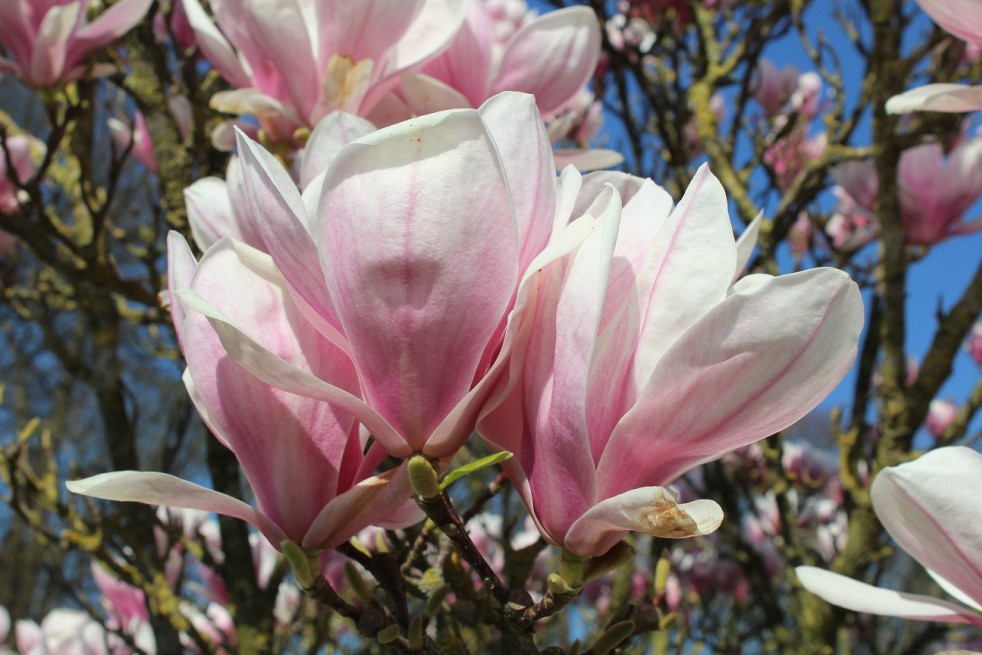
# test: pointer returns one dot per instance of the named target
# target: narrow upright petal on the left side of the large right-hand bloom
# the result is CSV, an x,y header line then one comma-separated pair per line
x,y
543,421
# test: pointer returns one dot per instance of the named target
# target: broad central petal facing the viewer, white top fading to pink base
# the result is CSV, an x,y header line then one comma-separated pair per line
x,y
422,274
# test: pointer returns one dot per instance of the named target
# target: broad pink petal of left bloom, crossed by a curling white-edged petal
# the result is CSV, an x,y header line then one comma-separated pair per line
x,y
294,450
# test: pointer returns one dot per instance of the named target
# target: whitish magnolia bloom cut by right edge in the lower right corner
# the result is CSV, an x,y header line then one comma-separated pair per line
x,y
930,508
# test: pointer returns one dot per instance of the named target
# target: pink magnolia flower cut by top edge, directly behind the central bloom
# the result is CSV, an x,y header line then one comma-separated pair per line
x,y
293,62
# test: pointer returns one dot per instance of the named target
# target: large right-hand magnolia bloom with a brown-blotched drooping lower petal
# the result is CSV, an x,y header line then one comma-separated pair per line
x,y
639,358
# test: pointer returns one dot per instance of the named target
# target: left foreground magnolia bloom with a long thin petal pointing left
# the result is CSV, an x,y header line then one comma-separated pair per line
x,y
304,459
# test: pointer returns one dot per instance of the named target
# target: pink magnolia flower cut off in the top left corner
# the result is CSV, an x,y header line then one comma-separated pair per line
x,y
49,40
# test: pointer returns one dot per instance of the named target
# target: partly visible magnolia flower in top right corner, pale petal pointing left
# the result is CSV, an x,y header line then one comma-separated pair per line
x,y
964,20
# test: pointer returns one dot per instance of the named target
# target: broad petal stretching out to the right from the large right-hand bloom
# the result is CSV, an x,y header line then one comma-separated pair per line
x,y
787,340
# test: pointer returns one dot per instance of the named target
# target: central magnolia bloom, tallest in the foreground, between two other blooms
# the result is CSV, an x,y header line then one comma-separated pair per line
x,y
406,254
